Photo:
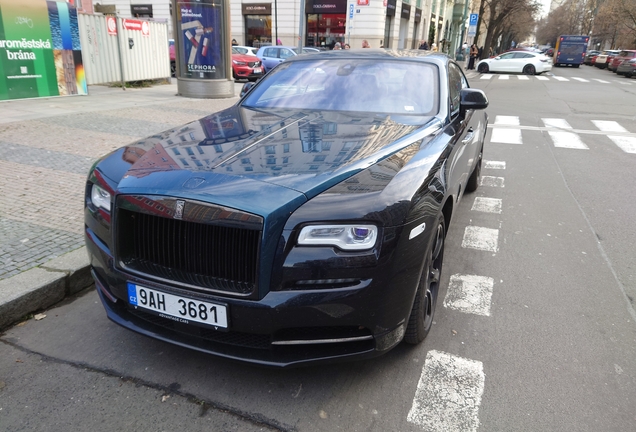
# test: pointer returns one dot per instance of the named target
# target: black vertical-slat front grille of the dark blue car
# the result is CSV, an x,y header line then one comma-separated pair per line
x,y
211,249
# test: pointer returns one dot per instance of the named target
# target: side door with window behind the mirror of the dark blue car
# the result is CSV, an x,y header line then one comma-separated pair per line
x,y
465,129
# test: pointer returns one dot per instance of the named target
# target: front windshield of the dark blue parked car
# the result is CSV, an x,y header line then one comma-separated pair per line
x,y
379,86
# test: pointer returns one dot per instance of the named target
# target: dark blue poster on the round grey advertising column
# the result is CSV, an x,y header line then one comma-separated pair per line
x,y
201,34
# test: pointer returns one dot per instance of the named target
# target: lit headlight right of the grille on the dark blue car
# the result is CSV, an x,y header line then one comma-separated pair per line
x,y
345,237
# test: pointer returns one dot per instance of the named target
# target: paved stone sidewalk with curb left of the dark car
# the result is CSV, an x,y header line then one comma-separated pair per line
x,y
47,147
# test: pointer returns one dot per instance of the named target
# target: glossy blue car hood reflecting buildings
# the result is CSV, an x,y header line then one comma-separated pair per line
x,y
304,151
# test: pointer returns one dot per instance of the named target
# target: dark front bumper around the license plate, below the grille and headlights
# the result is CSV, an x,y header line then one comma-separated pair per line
x,y
284,328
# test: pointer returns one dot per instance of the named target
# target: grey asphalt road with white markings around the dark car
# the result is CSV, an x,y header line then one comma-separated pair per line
x,y
545,342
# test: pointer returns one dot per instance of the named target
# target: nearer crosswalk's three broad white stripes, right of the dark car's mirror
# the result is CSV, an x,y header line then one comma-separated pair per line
x,y
508,130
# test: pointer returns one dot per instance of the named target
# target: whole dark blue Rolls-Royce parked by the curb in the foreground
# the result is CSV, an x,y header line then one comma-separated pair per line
x,y
304,224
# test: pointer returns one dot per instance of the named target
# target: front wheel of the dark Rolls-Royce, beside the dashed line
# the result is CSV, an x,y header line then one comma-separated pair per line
x,y
421,318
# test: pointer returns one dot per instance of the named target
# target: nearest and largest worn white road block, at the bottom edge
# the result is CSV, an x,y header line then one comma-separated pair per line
x,y
448,394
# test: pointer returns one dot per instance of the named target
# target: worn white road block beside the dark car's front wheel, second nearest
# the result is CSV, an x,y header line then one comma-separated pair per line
x,y
470,294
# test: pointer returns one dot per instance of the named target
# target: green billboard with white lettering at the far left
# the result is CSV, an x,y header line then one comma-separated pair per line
x,y
40,52
